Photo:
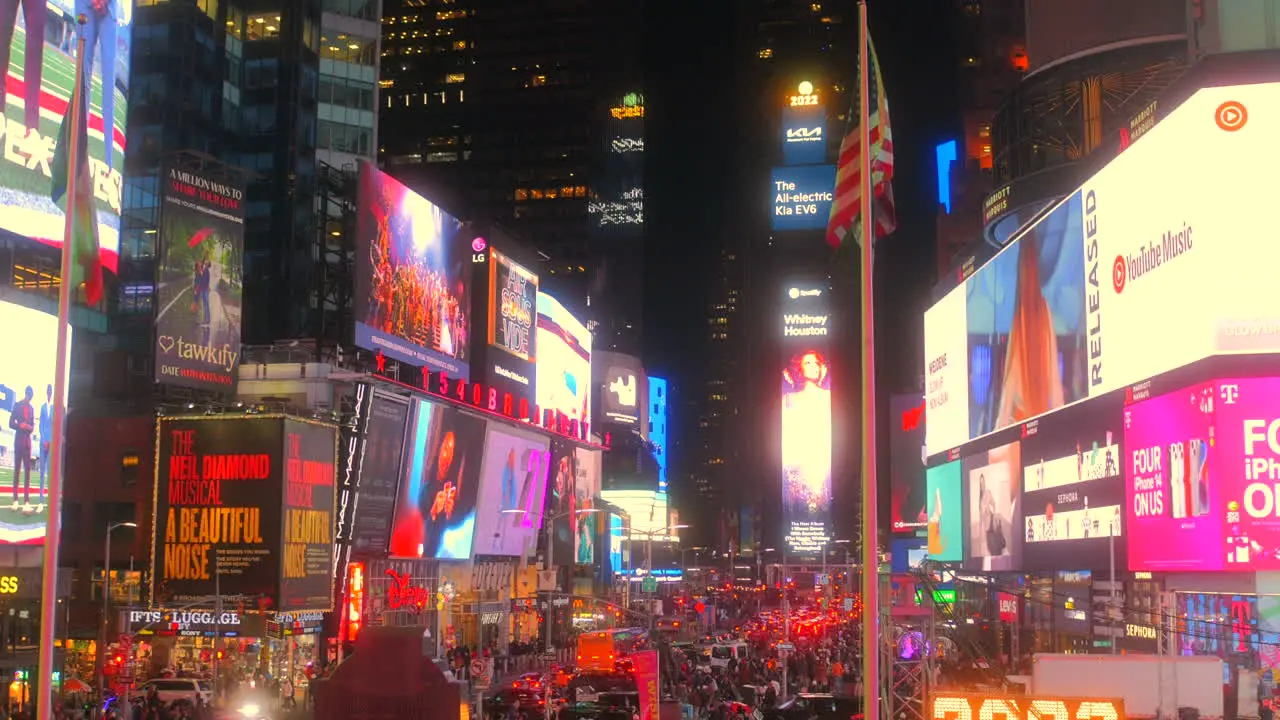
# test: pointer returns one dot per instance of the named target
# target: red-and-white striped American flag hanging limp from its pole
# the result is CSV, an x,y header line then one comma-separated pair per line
x,y
847,207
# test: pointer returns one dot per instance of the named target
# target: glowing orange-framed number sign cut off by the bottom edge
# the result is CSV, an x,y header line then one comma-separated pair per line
x,y
961,707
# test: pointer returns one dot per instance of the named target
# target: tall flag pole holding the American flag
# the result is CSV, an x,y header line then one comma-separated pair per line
x,y
871,522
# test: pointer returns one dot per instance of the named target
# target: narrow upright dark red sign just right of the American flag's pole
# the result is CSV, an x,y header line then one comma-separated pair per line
x,y
907,464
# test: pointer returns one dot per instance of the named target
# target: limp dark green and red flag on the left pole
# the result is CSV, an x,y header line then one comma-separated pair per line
x,y
77,188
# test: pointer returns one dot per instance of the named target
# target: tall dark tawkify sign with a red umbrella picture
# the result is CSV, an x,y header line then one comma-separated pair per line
x,y
202,282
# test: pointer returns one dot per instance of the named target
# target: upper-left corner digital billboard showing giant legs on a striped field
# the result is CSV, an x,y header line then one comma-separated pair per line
x,y
35,99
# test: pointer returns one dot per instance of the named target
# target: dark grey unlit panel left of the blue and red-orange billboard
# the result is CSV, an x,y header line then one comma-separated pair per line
x,y
381,475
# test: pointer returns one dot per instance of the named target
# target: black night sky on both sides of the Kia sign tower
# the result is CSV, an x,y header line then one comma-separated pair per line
x,y
691,99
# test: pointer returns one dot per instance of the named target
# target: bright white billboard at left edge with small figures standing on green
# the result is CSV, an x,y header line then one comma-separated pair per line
x,y
28,398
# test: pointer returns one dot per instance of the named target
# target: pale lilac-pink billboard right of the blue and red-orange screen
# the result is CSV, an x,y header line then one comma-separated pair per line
x,y
513,491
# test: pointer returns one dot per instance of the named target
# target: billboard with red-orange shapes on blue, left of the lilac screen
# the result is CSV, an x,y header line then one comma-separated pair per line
x,y
436,509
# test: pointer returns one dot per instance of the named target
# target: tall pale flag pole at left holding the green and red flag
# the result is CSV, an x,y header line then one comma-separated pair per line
x,y
53,526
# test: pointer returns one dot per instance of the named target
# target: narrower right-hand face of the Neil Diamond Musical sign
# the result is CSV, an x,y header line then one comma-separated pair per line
x,y
310,480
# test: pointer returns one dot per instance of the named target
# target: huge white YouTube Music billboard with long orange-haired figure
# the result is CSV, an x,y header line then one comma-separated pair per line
x,y
1136,274
